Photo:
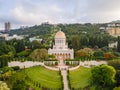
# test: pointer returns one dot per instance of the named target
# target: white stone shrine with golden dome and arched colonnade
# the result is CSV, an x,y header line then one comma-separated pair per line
x,y
60,48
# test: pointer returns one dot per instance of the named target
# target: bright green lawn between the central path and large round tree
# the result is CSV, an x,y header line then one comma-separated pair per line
x,y
80,78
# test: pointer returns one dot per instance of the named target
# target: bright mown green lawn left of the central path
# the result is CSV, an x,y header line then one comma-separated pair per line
x,y
47,78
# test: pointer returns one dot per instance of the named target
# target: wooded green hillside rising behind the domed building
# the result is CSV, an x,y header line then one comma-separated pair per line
x,y
78,35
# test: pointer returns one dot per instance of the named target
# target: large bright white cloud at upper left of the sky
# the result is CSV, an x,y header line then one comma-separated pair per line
x,y
36,13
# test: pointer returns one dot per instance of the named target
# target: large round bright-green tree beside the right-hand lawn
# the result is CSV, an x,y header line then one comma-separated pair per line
x,y
103,75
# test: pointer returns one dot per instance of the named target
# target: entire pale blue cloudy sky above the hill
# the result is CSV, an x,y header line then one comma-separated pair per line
x,y
35,12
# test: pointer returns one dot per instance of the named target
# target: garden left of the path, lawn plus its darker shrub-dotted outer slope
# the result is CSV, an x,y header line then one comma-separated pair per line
x,y
38,78
